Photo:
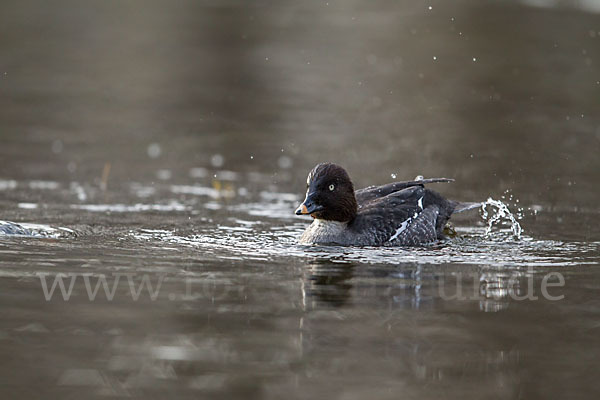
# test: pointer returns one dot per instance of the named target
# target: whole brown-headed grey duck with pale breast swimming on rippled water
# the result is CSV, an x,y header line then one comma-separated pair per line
x,y
396,214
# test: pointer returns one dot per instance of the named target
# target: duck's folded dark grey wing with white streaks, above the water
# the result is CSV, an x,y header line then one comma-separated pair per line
x,y
410,216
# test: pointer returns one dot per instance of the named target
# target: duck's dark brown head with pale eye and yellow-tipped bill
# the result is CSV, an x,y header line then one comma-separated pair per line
x,y
329,194
